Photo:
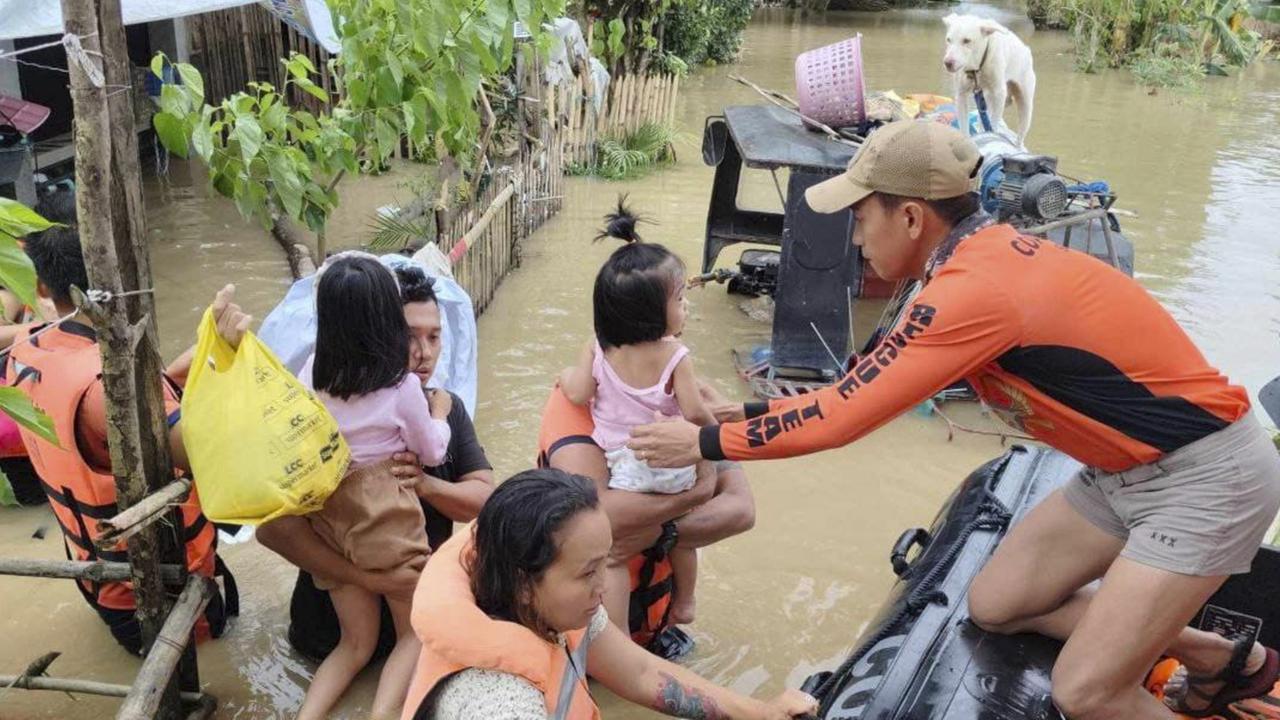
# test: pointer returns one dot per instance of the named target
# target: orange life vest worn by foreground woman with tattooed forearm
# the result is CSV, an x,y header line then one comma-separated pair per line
x,y
456,635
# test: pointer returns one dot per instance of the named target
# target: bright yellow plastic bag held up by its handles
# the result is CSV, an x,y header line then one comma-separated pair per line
x,y
260,445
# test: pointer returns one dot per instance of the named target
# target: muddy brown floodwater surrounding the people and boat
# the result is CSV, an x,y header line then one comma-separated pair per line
x,y
1203,172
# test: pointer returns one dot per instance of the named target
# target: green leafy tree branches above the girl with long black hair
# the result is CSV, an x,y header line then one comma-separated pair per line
x,y
404,74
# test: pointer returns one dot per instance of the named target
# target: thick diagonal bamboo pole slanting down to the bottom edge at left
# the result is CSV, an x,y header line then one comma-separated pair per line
x,y
147,695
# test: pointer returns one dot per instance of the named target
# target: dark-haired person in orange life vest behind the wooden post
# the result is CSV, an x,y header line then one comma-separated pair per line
x,y
61,371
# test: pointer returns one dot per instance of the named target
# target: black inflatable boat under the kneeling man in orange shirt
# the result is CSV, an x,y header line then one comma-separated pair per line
x,y
922,659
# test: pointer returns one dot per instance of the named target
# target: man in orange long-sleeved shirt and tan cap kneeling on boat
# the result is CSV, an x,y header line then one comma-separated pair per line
x,y
1181,482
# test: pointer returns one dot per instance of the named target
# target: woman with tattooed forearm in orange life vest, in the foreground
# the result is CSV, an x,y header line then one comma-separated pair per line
x,y
511,619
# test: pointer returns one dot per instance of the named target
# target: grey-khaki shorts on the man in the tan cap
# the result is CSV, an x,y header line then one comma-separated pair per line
x,y
1200,511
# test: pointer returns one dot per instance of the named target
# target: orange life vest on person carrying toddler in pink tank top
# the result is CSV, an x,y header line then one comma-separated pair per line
x,y
565,423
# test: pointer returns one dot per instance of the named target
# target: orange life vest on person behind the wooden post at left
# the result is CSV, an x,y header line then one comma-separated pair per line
x,y
57,371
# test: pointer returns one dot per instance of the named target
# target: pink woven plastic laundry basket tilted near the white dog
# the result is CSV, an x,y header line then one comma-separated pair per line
x,y
830,86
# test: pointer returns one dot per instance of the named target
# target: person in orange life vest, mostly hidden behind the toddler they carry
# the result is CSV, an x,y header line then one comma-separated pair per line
x,y
647,527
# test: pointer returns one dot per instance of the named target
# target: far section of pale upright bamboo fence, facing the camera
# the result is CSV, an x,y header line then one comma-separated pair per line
x,y
632,102
